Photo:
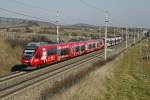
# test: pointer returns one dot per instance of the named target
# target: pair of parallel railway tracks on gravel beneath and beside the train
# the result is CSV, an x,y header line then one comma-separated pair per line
x,y
20,80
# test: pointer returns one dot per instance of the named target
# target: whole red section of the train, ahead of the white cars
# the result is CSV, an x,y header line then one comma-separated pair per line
x,y
39,53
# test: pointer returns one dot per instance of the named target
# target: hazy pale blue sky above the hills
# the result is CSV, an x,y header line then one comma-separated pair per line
x,y
135,13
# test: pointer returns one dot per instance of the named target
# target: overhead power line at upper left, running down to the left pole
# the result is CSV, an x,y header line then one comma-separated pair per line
x,y
18,13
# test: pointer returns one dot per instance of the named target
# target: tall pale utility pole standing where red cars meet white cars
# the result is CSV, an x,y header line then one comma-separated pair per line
x,y
106,25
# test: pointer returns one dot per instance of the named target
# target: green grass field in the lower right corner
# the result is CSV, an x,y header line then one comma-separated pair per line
x,y
131,79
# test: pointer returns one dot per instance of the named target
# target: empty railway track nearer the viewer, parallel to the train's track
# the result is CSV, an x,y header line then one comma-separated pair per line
x,y
46,75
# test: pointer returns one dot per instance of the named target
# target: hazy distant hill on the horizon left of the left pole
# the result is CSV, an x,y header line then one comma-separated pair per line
x,y
16,22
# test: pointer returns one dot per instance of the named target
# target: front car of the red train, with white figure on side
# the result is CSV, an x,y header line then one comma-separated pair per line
x,y
37,54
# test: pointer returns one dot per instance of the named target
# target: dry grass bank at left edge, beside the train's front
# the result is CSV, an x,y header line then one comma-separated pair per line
x,y
8,57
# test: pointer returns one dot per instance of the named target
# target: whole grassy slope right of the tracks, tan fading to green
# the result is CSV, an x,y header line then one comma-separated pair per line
x,y
125,78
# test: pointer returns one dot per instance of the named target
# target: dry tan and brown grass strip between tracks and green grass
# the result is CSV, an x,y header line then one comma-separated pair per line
x,y
85,85
